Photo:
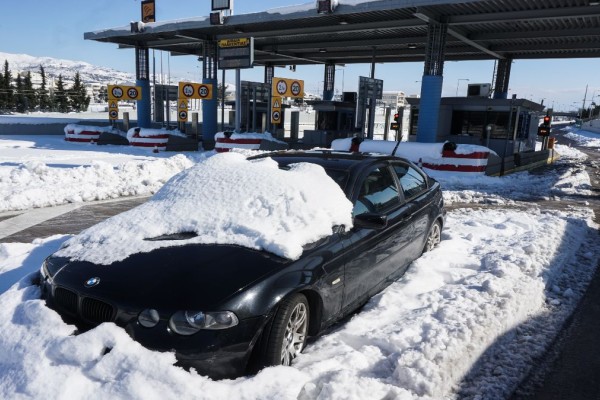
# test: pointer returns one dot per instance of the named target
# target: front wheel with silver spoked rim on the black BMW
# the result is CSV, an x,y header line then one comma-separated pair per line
x,y
288,331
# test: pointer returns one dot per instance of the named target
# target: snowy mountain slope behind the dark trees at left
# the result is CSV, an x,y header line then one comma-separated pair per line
x,y
53,67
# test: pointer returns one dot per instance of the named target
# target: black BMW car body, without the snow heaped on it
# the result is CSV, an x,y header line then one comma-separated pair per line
x,y
247,308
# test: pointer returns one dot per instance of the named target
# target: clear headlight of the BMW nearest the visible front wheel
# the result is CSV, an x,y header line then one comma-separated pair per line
x,y
190,322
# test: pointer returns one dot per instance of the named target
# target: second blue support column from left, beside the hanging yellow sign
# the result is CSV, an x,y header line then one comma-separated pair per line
x,y
209,76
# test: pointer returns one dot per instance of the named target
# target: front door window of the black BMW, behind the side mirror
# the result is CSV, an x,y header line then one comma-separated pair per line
x,y
378,192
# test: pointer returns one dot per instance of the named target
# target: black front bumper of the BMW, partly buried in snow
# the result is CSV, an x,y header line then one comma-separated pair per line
x,y
218,354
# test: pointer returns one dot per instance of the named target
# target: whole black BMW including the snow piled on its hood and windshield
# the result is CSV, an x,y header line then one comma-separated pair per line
x,y
236,261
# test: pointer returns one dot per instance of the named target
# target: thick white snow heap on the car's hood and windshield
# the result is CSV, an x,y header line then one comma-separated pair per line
x,y
225,199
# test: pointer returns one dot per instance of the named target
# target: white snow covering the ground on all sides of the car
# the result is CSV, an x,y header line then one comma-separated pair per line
x,y
465,321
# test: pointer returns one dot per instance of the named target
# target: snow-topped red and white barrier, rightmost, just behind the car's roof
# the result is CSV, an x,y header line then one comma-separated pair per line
x,y
465,158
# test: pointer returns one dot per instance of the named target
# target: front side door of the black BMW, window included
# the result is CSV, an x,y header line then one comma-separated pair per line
x,y
377,254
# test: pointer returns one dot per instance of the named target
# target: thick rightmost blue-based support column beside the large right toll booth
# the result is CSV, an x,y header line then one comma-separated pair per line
x,y
431,84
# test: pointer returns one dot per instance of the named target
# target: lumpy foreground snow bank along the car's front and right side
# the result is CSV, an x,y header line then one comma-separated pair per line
x,y
495,271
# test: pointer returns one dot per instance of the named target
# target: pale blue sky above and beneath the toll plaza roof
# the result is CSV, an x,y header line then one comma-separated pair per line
x,y
55,29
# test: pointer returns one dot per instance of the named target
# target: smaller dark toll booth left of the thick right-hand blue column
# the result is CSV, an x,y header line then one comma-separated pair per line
x,y
333,120
